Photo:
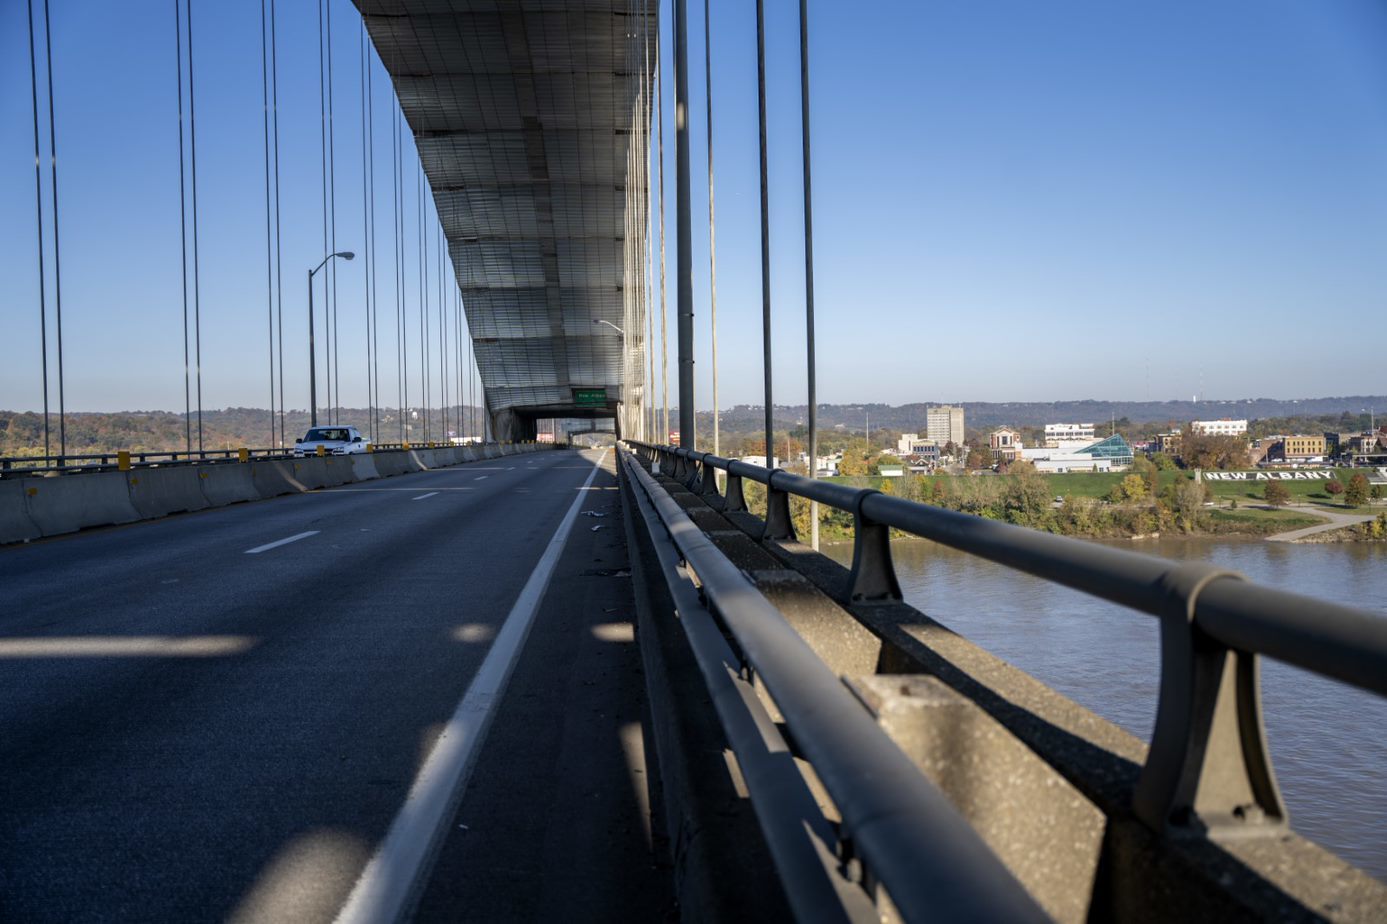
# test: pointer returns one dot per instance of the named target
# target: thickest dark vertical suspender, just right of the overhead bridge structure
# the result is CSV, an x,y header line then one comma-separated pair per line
x,y
689,431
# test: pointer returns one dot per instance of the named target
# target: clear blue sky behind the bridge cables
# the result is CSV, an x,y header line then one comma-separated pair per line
x,y
1013,200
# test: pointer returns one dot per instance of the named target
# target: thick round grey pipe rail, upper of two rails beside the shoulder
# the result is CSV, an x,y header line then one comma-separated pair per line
x,y
931,861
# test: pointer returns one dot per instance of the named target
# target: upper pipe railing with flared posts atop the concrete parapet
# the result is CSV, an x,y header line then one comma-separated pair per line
x,y
1209,769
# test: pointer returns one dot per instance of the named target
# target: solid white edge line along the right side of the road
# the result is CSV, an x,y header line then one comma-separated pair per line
x,y
388,886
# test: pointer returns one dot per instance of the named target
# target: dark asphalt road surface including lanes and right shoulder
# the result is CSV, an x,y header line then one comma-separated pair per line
x,y
225,715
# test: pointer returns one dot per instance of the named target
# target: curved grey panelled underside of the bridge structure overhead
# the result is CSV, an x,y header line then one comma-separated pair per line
x,y
529,119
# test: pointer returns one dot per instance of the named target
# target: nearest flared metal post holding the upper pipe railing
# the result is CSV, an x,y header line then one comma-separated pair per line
x,y
1209,771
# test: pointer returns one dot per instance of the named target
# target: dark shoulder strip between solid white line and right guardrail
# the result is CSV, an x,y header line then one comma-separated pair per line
x,y
557,821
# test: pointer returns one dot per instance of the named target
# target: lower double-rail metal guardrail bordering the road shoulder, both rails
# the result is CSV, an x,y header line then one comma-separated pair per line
x,y
895,823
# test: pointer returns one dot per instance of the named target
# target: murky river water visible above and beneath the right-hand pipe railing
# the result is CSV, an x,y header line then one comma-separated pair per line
x,y
1329,742
